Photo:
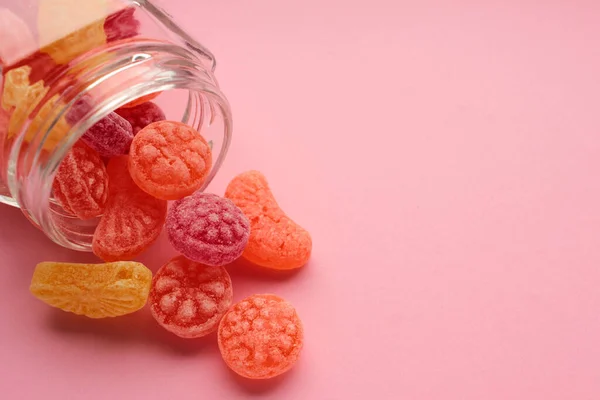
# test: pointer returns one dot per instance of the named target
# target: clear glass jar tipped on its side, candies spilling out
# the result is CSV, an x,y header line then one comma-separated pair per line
x,y
56,55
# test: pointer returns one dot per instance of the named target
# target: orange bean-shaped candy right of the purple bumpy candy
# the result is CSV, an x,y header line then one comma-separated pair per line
x,y
275,240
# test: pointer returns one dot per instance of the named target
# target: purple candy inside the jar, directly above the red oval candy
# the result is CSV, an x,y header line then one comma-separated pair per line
x,y
110,137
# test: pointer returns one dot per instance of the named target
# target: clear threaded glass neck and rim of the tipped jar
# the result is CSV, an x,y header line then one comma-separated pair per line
x,y
105,80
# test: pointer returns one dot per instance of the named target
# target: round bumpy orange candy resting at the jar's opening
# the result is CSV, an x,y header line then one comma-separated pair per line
x,y
169,160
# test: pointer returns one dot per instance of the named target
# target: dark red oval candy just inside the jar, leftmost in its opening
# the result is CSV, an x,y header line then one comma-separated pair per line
x,y
81,183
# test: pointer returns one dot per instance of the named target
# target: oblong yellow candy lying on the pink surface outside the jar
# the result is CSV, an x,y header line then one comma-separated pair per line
x,y
93,290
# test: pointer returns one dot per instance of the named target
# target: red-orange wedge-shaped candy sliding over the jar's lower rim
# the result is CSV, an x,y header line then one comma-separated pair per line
x,y
133,219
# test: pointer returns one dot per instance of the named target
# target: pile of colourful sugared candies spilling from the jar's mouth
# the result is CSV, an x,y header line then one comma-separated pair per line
x,y
124,170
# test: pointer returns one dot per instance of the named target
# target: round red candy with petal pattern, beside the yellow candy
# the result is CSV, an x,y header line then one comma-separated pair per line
x,y
189,299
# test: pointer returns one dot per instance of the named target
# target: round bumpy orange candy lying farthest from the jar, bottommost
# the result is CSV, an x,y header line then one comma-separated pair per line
x,y
261,336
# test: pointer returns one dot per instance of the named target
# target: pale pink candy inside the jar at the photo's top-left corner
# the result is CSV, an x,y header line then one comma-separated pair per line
x,y
17,39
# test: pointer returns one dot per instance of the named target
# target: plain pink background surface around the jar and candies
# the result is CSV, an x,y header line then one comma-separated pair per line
x,y
445,157
